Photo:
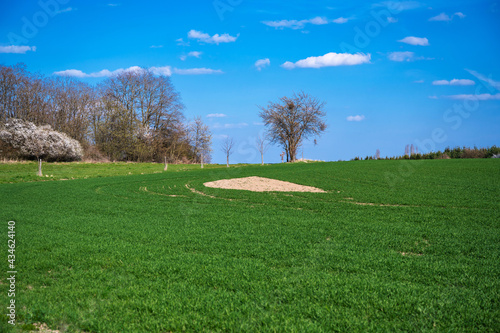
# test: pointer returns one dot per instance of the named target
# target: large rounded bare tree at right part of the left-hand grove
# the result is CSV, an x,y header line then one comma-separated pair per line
x,y
141,110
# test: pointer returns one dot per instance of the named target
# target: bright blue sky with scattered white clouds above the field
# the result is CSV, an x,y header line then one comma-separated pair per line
x,y
391,73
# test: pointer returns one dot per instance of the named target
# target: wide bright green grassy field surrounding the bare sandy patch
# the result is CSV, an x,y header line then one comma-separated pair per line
x,y
393,246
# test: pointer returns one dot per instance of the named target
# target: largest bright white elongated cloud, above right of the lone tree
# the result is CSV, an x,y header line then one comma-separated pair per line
x,y
330,60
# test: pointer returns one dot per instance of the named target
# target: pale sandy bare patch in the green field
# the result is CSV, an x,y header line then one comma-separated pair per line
x,y
260,184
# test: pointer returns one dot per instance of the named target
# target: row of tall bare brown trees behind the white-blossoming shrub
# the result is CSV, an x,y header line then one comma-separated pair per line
x,y
135,115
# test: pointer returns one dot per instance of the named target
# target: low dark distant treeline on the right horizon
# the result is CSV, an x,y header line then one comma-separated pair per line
x,y
448,153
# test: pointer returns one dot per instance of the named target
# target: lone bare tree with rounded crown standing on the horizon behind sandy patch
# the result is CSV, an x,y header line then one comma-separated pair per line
x,y
293,120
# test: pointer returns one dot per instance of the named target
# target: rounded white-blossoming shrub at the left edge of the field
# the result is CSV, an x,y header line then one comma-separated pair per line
x,y
30,141
